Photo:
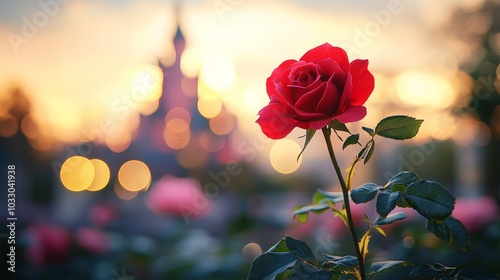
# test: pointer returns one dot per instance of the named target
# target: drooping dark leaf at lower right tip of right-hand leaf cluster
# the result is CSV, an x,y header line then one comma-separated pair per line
x,y
450,230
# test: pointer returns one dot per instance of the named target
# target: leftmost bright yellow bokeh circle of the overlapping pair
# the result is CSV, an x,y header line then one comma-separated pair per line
x,y
77,173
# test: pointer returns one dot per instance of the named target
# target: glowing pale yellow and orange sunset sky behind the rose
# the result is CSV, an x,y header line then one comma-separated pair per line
x,y
75,59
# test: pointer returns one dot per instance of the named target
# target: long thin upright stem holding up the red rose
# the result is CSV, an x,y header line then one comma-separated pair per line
x,y
345,192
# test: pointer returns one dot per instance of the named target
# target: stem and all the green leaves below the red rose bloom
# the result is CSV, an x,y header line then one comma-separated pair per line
x,y
293,259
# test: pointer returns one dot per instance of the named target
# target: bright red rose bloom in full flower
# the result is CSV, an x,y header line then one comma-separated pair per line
x,y
309,93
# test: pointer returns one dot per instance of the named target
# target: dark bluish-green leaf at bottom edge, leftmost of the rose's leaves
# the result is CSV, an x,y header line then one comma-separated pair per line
x,y
268,265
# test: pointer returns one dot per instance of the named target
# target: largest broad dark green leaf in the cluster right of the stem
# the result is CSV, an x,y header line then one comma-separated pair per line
x,y
430,199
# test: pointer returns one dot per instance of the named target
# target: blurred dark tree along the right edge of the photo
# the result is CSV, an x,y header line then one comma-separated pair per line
x,y
481,31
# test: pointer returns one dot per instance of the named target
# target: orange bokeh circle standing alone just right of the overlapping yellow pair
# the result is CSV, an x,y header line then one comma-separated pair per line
x,y
134,175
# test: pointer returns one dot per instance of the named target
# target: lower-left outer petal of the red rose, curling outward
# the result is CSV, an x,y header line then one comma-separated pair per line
x,y
275,122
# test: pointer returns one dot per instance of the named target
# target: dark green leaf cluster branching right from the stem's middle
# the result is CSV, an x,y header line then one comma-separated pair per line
x,y
430,199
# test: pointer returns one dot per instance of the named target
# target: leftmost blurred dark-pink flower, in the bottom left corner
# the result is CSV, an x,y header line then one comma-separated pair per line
x,y
47,244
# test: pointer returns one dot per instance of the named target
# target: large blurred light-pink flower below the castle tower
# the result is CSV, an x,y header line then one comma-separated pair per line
x,y
178,196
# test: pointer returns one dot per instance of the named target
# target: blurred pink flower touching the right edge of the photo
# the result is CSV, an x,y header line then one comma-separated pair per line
x,y
475,212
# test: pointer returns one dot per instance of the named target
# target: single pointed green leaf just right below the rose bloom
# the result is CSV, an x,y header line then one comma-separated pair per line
x,y
398,127
